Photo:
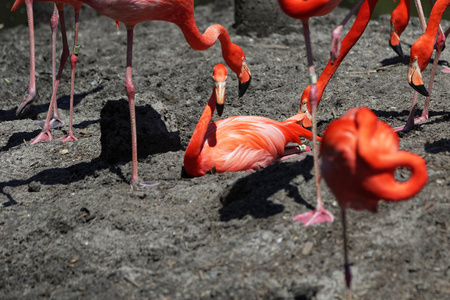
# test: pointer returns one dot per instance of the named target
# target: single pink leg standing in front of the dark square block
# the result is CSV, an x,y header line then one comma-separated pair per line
x,y
135,182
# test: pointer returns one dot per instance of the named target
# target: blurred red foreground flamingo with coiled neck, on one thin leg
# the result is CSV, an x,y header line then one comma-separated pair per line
x,y
359,157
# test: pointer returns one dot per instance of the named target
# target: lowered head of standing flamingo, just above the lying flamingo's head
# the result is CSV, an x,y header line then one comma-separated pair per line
x,y
235,59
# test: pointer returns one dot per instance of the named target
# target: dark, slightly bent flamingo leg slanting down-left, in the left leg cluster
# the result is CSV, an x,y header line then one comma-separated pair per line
x,y
45,134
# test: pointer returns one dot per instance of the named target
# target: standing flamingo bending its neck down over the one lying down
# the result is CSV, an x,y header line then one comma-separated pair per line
x,y
181,13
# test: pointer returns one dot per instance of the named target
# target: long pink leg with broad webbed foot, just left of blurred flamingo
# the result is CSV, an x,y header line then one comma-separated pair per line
x,y
320,214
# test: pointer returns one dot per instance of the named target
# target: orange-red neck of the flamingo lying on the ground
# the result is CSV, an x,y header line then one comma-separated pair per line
x,y
198,137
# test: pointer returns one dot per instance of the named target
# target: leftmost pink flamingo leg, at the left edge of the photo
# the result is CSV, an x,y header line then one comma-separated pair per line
x,y
31,92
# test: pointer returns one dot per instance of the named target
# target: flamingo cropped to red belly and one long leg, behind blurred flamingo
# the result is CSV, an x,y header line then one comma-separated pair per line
x,y
304,10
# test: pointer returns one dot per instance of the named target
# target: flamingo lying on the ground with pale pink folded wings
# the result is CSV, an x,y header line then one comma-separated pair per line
x,y
238,143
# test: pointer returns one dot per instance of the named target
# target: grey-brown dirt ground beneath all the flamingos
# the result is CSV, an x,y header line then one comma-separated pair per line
x,y
72,229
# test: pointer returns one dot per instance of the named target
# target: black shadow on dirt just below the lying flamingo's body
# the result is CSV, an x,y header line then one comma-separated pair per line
x,y
249,195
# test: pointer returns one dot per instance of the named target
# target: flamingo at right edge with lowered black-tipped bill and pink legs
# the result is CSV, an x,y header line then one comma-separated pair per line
x,y
420,55
